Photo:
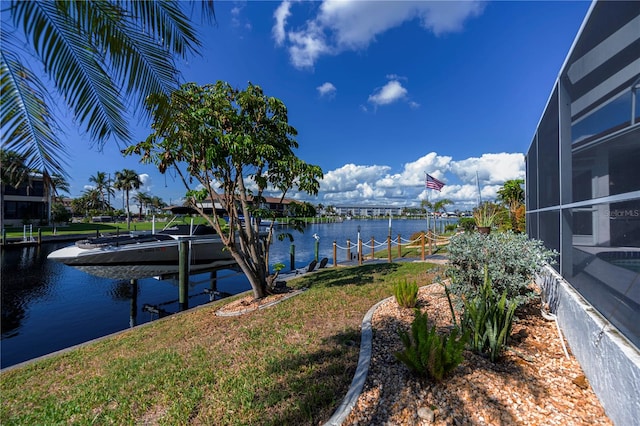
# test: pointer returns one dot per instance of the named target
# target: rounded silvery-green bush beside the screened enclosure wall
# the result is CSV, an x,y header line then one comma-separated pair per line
x,y
512,261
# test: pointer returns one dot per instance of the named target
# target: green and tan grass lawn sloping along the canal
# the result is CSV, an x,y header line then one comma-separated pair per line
x,y
291,363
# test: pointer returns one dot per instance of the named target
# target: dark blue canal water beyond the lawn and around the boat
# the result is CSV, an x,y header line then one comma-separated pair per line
x,y
48,306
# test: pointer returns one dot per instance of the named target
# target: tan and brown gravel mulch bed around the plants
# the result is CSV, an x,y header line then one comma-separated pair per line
x,y
533,383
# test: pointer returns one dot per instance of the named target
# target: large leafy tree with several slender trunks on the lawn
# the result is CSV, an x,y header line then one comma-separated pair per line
x,y
229,146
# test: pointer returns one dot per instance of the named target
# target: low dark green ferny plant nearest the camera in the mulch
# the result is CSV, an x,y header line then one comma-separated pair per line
x,y
427,353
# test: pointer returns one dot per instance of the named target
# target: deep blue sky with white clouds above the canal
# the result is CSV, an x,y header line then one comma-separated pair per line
x,y
382,92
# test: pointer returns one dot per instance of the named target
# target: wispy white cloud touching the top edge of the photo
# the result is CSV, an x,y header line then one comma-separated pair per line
x,y
353,25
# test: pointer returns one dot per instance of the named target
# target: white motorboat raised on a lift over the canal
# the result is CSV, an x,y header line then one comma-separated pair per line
x,y
142,255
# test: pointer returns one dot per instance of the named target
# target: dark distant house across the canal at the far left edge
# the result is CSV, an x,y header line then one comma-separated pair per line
x,y
26,204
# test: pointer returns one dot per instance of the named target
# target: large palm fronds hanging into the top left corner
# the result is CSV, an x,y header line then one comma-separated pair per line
x,y
100,56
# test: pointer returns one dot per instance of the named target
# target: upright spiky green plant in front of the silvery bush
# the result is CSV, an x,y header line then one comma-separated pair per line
x,y
488,319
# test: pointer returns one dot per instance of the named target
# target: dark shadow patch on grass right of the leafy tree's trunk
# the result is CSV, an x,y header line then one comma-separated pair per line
x,y
356,275
